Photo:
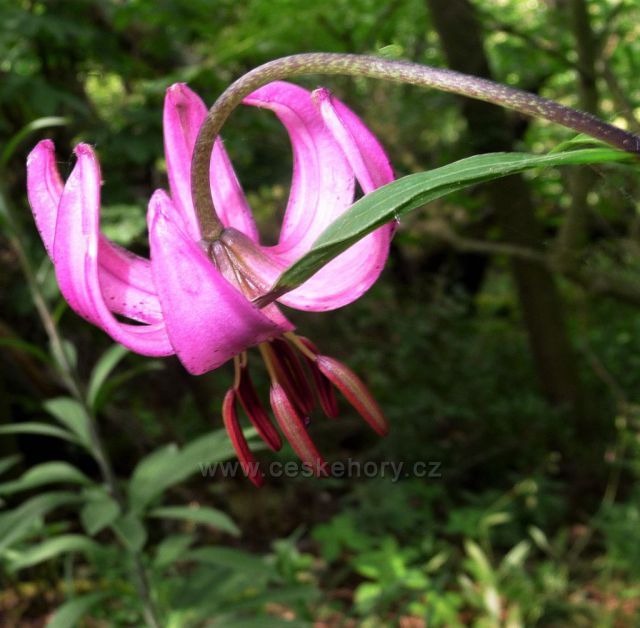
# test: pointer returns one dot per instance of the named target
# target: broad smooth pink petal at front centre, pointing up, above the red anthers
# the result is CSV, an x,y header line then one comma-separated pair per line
x,y
208,320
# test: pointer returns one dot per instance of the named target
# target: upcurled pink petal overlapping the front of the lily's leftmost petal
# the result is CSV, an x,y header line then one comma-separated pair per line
x,y
75,259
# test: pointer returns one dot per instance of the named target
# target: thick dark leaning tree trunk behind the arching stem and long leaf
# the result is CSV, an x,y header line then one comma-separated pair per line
x,y
489,130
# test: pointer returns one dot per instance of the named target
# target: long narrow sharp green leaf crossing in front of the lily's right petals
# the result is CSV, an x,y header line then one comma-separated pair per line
x,y
413,191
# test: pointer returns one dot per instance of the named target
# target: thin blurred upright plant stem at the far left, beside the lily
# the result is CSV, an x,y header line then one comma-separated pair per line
x,y
74,386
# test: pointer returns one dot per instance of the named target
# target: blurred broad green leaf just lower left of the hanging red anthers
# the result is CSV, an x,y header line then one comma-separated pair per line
x,y
170,465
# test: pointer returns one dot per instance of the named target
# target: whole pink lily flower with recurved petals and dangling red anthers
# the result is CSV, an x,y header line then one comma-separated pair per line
x,y
194,298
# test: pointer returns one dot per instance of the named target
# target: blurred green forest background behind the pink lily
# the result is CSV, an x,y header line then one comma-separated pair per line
x,y
513,370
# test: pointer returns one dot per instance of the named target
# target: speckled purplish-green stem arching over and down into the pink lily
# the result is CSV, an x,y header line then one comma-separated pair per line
x,y
375,67
